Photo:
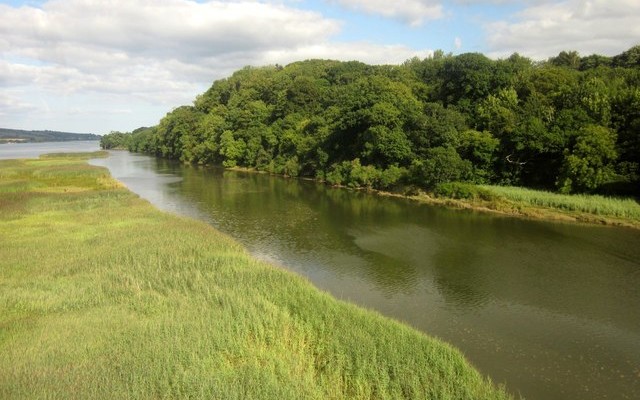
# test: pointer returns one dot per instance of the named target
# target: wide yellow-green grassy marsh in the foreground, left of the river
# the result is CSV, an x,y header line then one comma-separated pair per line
x,y
103,296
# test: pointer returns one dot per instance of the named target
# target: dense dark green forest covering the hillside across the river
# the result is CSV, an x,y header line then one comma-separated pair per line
x,y
568,124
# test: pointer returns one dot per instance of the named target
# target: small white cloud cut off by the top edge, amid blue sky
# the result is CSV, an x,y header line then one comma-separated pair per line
x,y
413,12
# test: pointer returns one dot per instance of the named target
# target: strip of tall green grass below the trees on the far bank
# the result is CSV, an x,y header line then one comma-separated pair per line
x,y
591,204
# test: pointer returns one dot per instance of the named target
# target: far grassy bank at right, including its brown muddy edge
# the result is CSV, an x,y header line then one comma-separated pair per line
x,y
537,204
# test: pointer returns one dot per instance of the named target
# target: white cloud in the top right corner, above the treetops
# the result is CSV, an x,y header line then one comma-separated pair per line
x,y
605,27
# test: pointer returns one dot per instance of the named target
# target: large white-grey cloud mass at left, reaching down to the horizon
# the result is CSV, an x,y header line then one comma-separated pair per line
x,y
154,54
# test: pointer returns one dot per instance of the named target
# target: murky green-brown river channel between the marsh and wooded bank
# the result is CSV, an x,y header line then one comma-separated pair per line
x,y
551,310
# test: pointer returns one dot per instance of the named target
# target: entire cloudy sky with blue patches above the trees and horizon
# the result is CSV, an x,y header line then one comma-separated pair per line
x,y
102,65
